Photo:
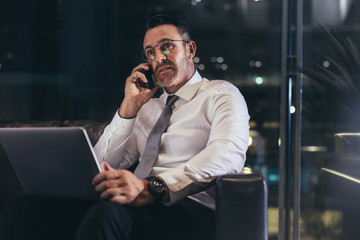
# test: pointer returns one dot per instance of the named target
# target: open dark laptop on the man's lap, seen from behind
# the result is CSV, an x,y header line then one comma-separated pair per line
x,y
52,162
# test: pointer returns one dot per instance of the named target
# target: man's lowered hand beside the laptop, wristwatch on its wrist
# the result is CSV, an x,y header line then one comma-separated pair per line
x,y
122,187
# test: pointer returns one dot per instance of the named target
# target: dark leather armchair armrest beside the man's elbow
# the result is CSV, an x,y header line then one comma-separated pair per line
x,y
241,206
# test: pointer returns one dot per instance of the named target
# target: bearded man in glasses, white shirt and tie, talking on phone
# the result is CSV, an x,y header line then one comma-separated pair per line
x,y
207,136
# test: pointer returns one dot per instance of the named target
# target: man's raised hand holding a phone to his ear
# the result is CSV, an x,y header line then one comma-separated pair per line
x,y
135,94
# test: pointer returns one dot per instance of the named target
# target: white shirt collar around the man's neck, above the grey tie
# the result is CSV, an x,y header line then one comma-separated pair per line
x,y
188,91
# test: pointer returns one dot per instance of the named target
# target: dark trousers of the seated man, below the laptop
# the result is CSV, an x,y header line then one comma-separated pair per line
x,y
52,218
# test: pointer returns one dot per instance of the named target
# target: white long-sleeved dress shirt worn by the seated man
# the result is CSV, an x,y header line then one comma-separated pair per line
x,y
207,136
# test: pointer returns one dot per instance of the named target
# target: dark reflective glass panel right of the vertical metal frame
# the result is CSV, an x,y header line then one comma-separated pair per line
x,y
331,97
